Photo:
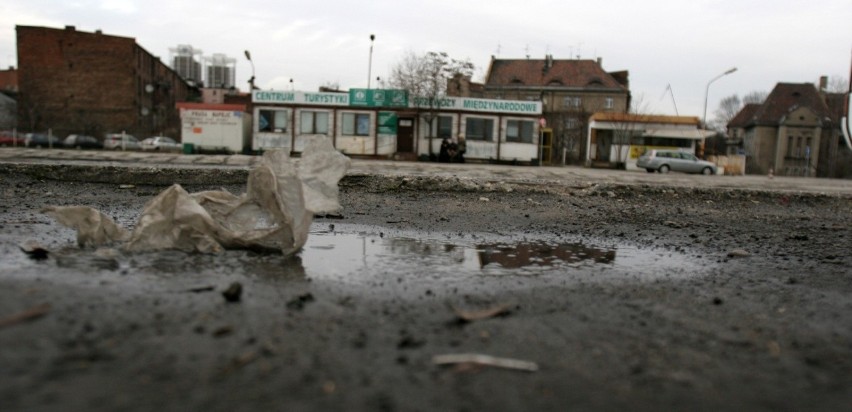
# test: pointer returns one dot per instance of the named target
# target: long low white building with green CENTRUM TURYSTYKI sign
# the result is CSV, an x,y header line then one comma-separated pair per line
x,y
385,123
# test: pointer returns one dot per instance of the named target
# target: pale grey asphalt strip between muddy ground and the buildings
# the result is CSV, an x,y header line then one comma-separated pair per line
x,y
570,175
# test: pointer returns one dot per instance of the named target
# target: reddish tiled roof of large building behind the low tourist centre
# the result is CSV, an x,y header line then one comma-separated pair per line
x,y
561,73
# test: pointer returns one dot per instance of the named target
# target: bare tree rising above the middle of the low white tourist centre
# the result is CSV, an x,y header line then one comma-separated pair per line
x,y
425,78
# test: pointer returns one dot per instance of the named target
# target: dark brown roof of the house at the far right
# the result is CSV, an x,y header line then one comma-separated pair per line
x,y
786,97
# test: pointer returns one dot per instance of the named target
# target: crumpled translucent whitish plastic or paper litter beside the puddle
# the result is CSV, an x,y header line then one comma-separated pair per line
x,y
274,214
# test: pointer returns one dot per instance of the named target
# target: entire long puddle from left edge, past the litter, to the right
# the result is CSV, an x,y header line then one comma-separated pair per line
x,y
363,255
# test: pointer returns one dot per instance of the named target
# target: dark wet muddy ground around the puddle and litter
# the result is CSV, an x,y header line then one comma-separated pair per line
x,y
760,320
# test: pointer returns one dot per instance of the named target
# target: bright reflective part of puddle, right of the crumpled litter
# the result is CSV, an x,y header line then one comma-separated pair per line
x,y
353,254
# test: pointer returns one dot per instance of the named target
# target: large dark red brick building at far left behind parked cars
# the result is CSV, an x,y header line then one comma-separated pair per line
x,y
78,82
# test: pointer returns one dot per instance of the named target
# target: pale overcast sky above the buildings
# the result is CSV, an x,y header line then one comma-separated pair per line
x,y
682,43
